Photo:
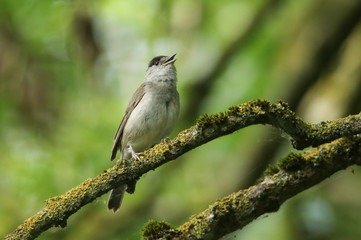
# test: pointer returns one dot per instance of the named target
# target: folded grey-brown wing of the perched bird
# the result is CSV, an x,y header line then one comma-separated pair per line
x,y
137,96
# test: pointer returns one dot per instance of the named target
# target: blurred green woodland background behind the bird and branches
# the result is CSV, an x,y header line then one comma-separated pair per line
x,y
68,69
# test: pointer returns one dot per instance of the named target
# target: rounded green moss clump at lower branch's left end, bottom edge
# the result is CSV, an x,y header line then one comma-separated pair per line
x,y
157,230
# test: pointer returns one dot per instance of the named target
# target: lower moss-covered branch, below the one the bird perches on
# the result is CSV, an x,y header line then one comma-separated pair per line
x,y
294,174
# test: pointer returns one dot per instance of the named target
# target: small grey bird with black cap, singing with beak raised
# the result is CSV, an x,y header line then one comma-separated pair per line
x,y
150,117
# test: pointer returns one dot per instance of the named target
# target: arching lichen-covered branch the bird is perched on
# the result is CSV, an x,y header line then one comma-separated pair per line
x,y
58,209
